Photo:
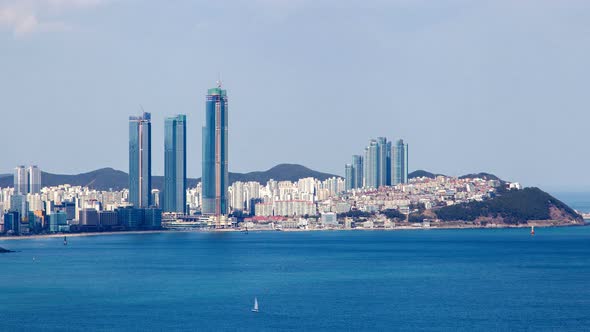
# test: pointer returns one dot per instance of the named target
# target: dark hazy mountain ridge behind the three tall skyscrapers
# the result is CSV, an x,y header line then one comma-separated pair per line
x,y
108,178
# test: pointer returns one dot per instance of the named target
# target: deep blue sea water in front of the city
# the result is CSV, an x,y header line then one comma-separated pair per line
x,y
443,280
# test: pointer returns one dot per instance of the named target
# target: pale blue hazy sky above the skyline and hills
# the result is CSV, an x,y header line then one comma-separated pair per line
x,y
498,86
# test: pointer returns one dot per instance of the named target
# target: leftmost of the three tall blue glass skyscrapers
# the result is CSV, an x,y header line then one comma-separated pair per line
x,y
140,160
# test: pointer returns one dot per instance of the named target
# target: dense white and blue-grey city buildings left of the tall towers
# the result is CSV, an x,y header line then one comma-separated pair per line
x,y
68,208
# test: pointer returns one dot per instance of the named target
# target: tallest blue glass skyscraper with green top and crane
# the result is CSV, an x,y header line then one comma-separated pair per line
x,y
215,167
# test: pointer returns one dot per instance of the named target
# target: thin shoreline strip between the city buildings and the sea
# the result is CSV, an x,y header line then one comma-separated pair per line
x,y
399,228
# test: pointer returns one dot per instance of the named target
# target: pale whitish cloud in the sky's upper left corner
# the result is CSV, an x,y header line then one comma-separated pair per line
x,y
24,17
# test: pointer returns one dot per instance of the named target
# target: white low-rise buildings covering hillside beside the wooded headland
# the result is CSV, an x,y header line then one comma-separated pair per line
x,y
337,211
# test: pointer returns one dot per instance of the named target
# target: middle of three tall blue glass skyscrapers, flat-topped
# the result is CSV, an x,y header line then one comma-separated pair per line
x,y
175,164
